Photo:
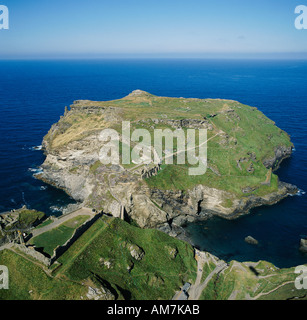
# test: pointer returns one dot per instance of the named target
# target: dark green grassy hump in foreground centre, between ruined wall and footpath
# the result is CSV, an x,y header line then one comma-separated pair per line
x,y
156,276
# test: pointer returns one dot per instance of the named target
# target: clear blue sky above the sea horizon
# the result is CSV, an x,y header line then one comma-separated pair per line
x,y
94,28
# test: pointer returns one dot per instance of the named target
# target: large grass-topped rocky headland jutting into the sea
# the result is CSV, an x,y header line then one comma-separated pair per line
x,y
244,147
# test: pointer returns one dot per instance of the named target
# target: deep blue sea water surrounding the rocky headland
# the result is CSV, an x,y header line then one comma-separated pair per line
x,y
33,95
